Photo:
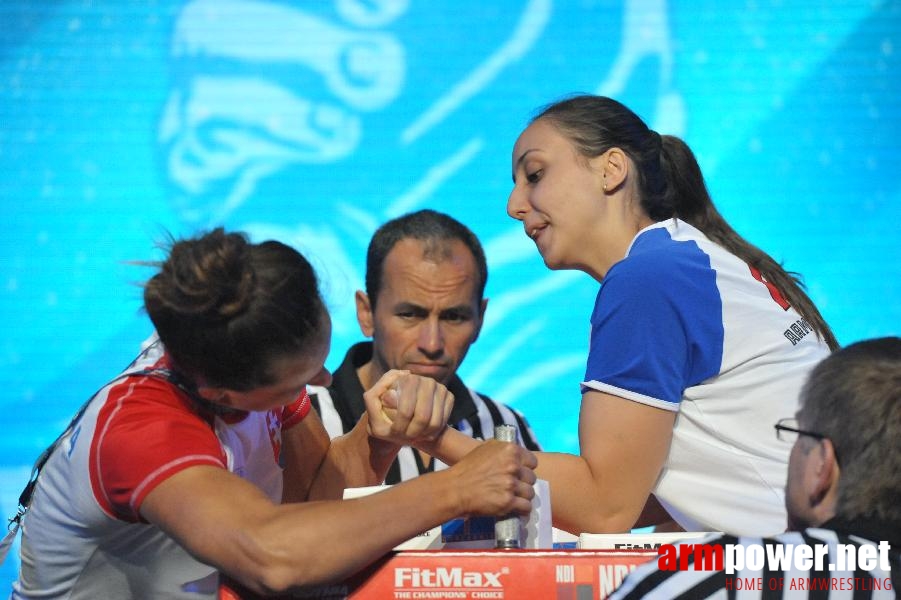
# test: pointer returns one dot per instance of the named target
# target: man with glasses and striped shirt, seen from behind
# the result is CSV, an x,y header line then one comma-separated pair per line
x,y
843,493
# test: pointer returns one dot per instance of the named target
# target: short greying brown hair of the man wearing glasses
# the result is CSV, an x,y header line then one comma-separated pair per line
x,y
853,397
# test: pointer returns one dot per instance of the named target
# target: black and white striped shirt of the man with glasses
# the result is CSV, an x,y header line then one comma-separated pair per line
x,y
772,582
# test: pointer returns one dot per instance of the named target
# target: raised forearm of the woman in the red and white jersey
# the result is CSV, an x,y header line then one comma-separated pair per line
x,y
355,459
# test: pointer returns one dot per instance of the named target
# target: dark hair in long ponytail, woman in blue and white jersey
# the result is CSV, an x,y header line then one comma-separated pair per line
x,y
671,185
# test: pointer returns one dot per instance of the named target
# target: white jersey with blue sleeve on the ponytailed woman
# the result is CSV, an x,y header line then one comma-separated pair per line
x,y
683,325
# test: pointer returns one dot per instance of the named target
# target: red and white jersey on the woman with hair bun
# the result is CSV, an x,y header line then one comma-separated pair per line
x,y
83,535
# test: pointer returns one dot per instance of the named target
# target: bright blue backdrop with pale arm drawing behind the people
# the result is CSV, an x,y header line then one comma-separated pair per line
x,y
313,122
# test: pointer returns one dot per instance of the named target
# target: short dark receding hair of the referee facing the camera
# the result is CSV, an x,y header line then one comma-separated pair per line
x,y
433,228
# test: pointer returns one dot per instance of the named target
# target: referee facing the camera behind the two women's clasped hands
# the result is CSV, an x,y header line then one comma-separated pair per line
x,y
423,308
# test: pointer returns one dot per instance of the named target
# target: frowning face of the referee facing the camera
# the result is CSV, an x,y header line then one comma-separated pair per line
x,y
428,311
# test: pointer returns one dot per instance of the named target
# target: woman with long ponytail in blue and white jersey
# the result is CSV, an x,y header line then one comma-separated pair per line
x,y
700,341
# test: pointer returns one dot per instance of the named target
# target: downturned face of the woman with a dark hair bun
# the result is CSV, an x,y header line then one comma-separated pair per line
x,y
292,375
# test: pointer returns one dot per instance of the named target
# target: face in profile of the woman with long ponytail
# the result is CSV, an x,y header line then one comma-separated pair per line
x,y
558,195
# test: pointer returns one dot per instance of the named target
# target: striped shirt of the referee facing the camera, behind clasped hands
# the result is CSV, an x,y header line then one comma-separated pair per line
x,y
341,405
